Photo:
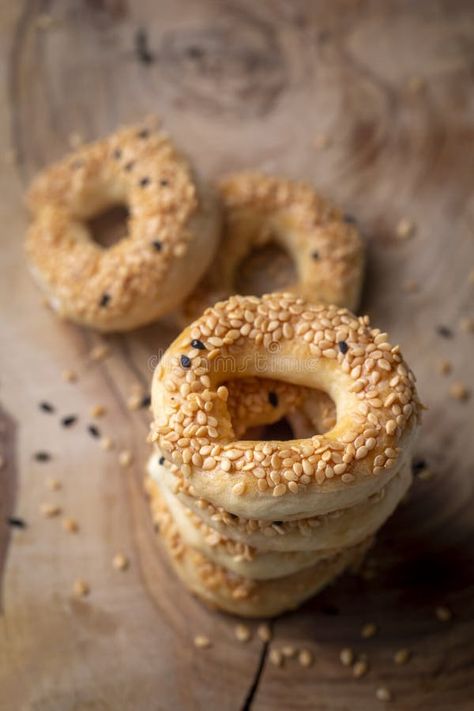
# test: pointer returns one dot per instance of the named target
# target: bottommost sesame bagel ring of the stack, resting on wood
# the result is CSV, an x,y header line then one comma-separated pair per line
x,y
220,588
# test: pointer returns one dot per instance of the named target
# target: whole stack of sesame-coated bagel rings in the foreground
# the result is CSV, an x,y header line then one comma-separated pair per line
x,y
255,527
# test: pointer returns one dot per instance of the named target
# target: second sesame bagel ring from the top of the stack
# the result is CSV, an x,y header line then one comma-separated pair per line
x,y
321,534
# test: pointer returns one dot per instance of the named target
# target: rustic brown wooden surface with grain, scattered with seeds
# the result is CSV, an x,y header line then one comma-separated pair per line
x,y
238,84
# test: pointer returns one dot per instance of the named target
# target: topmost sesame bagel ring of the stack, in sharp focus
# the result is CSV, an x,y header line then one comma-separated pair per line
x,y
284,337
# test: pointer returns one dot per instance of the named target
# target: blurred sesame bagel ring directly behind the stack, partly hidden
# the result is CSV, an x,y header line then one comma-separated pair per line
x,y
325,247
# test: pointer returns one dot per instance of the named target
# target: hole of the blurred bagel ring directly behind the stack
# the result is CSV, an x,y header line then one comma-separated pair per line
x,y
265,269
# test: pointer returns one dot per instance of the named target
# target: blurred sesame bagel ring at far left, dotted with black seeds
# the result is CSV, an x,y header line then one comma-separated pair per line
x,y
172,230
